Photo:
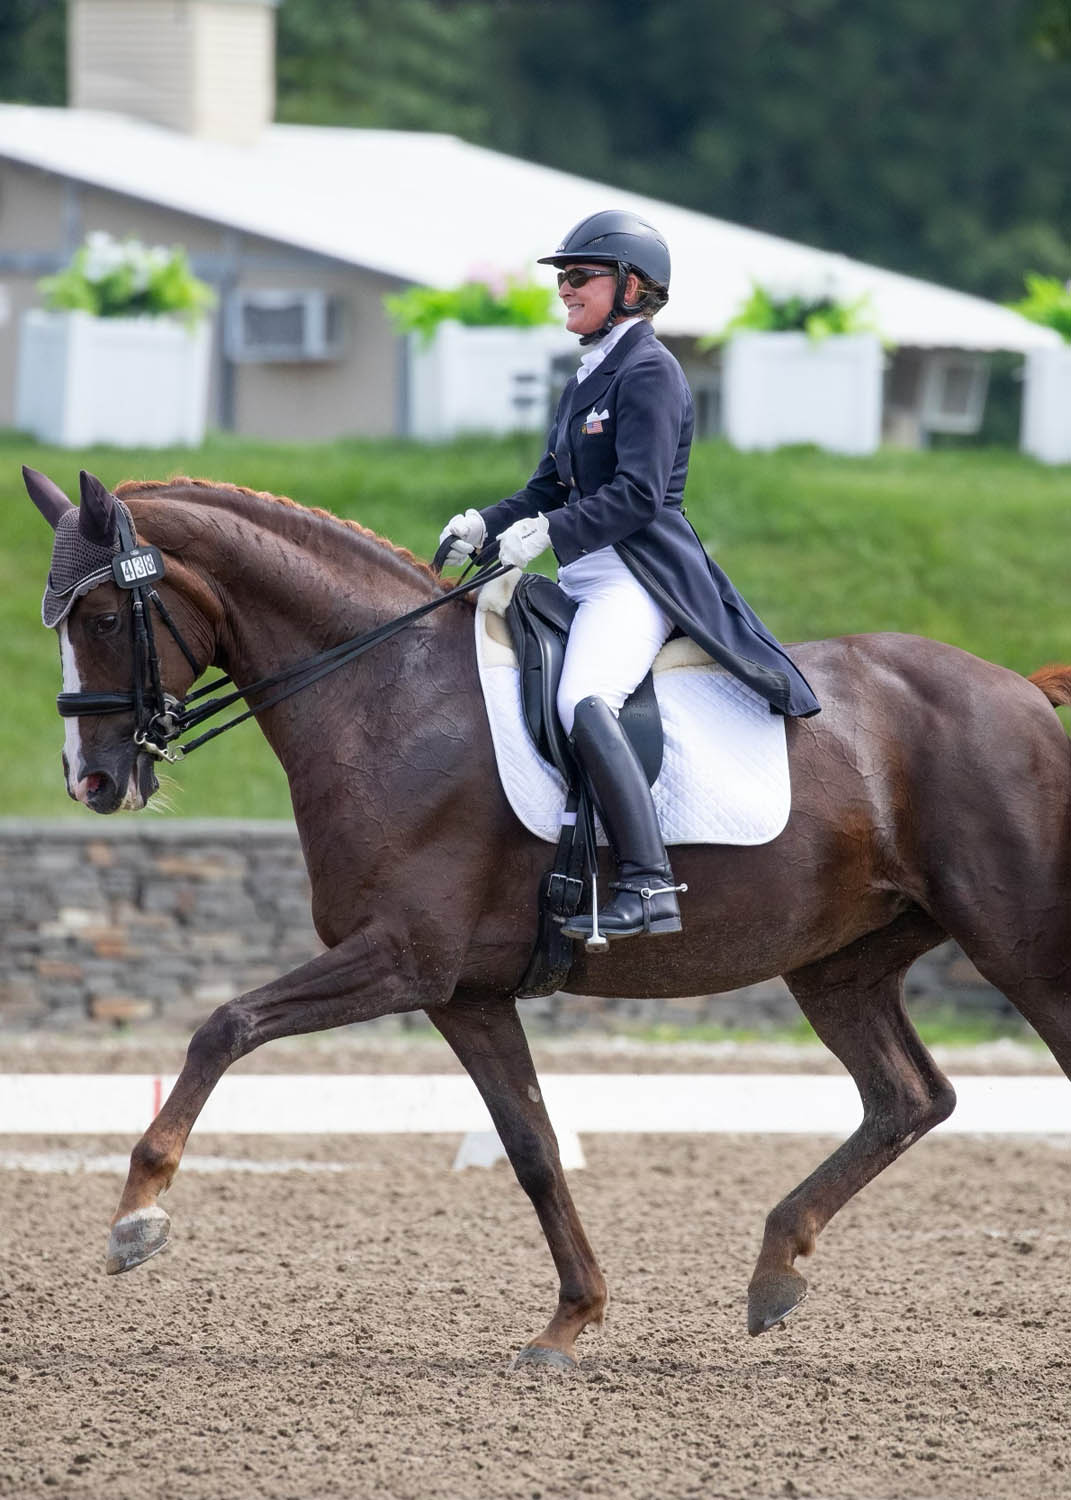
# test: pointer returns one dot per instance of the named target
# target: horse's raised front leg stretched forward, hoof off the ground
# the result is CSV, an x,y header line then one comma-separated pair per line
x,y
364,977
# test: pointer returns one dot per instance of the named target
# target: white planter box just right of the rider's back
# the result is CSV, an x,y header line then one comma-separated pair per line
x,y
784,388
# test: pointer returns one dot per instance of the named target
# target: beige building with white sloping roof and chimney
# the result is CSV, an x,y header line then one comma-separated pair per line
x,y
269,212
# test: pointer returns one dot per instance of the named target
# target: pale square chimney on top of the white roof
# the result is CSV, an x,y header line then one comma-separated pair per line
x,y
200,67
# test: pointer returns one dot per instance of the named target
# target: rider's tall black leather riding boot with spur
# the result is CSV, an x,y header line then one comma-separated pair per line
x,y
646,896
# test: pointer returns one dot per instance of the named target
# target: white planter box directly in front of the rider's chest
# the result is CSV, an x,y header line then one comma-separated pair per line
x,y
482,380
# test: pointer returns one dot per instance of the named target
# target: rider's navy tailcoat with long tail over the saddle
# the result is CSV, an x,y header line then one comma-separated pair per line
x,y
614,476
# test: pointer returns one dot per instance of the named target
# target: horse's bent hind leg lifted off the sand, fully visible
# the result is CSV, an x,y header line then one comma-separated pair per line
x,y
854,1001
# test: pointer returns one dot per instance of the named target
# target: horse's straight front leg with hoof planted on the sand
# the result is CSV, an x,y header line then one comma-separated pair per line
x,y
490,1042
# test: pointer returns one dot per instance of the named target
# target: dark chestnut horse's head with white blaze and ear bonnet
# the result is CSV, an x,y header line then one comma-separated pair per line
x,y
104,764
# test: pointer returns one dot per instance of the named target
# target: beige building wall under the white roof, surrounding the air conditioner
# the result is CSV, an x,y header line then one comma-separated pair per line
x,y
43,220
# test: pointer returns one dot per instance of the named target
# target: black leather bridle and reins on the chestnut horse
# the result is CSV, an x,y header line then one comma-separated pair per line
x,y
160,718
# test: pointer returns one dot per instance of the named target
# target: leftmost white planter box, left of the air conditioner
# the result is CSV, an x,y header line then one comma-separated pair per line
x,y
128,382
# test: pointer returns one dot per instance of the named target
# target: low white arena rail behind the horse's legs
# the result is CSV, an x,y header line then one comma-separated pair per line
x,y
80,1105
